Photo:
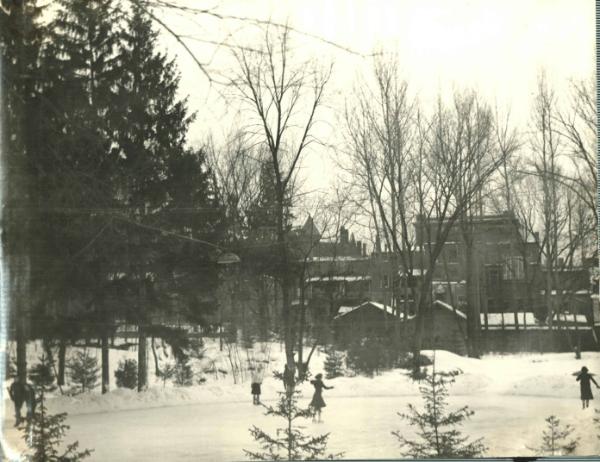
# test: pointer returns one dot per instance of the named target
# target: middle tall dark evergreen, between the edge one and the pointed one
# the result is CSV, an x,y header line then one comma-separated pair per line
x,y
82,73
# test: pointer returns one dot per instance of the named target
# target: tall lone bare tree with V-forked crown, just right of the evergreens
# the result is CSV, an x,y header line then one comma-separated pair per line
x,y
283,99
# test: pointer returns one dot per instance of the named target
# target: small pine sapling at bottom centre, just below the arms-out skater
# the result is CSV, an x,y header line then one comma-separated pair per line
x,y
290,442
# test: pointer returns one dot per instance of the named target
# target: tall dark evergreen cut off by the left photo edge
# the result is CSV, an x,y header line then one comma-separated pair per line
x,y
21,38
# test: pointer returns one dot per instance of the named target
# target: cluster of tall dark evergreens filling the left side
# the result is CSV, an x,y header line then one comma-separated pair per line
x,y
110,215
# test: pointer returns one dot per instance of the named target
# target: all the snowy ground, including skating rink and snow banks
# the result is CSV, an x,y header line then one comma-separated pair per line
x,y
510,394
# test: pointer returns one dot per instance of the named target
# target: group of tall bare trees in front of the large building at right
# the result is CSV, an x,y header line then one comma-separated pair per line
x,y
444,167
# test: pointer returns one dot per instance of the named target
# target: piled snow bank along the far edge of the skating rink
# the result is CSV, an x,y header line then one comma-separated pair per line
x,y
544,375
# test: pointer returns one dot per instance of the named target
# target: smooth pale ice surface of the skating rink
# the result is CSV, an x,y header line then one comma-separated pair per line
x,y
359,426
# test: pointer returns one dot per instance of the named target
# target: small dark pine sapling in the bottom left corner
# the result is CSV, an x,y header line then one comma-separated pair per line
x,y
44,436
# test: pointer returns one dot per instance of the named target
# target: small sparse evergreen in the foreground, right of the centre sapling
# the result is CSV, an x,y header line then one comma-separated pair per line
x,y
438,435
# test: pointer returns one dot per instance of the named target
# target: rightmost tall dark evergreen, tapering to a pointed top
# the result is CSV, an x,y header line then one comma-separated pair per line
x,y
163,186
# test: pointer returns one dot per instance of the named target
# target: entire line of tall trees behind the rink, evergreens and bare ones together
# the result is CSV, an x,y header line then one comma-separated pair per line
x,y
112,216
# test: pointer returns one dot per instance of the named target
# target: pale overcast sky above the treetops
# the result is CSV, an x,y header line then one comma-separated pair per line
x,y
495,46
